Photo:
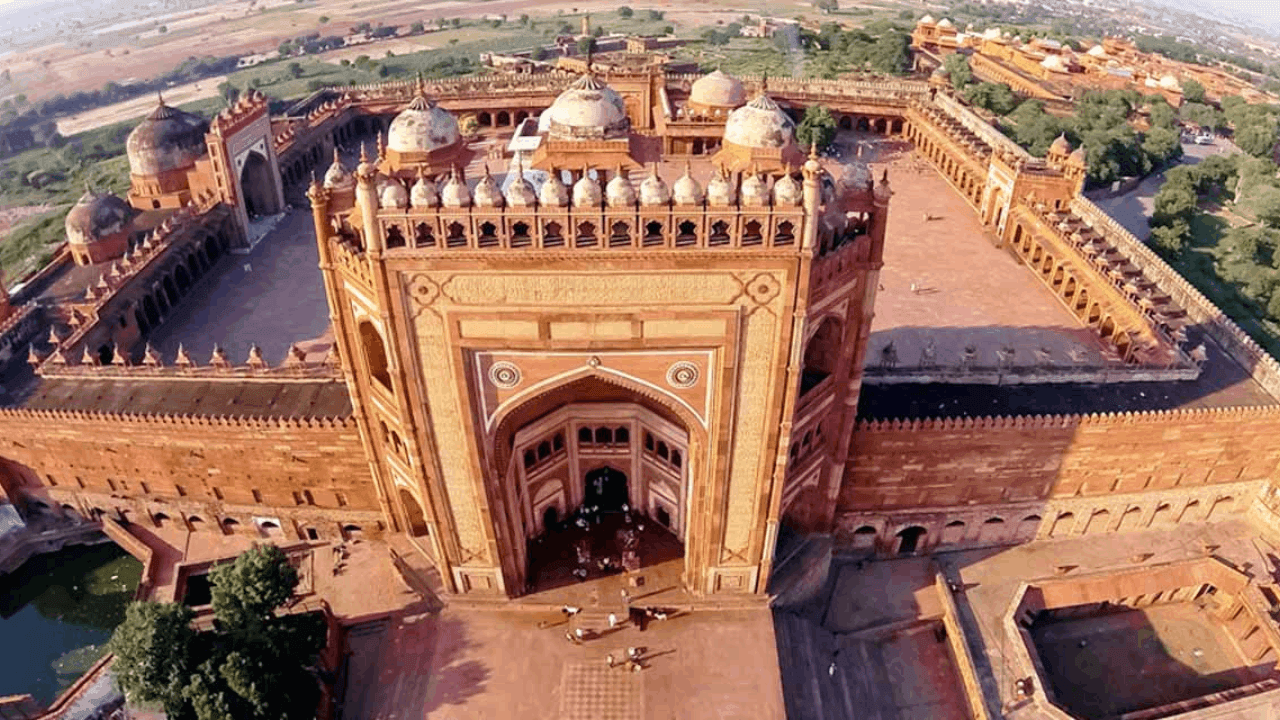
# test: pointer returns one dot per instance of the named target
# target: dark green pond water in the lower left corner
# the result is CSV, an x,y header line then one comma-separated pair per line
x,y
58,612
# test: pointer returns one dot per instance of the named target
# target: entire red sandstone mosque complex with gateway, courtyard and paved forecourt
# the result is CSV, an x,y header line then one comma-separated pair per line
x,y
895,431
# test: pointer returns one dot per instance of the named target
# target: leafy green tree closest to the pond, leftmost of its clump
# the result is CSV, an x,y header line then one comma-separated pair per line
x,y
152,650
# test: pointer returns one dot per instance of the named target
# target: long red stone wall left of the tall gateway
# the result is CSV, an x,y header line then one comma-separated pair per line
x,y
113,463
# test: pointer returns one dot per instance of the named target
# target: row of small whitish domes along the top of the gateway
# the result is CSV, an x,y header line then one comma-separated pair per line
x,y
587,193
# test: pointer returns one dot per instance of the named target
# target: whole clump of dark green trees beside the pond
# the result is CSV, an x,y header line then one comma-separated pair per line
x,y
253,666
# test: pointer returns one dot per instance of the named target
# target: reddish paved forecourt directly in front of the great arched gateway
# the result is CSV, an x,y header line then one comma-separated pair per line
x,y
491,664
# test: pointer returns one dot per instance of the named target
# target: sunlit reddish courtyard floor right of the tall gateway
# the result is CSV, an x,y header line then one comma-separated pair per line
x,y
945,281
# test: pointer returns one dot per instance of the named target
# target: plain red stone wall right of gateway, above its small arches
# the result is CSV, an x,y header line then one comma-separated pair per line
x,y
941,463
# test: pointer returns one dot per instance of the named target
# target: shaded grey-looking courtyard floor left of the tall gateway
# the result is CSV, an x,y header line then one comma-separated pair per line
x,y
273,297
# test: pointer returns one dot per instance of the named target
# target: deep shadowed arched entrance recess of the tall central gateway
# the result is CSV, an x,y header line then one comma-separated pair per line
x,y
597,480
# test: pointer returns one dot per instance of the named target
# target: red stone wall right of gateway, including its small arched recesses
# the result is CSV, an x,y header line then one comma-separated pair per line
x,y
1076,475
